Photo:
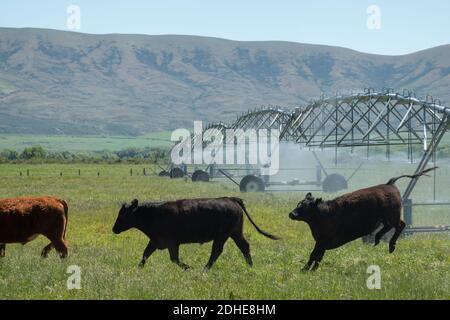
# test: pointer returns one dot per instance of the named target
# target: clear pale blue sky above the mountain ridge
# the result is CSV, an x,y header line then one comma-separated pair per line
x,y
406,26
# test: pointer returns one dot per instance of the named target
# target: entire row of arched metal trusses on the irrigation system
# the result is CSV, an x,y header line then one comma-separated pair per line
x,y
357,120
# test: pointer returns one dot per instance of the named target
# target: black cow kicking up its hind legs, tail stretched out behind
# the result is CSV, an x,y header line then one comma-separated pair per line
x,y
351,216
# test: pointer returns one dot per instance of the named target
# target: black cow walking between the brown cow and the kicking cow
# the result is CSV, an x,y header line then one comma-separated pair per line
x,y
169,224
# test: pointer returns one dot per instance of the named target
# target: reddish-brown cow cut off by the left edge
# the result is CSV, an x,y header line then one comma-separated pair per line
x,y
22,219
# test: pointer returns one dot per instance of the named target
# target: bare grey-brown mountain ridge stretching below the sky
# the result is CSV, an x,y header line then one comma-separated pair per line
x,y
60,82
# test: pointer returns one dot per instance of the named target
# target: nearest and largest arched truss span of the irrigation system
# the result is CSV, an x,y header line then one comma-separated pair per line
x,y
375,119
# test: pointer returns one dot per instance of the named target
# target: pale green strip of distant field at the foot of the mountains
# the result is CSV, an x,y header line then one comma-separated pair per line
x,y
84,143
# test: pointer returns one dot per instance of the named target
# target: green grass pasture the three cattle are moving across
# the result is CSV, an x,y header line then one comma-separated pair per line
x,y
419,269
